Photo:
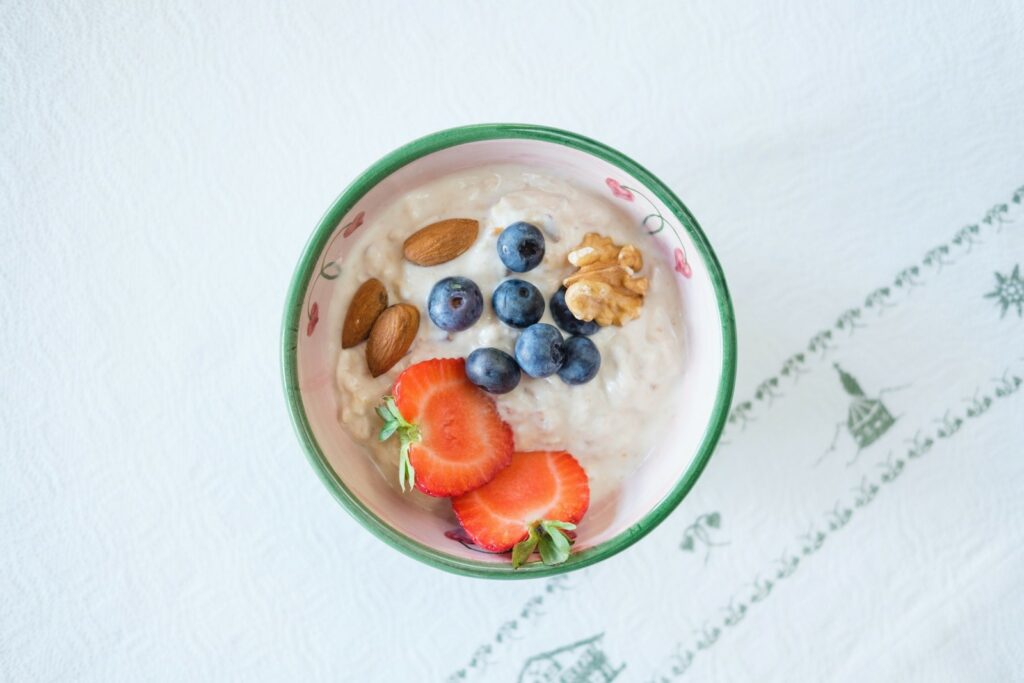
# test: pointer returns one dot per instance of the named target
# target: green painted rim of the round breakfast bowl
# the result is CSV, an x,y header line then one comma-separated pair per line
x,y
348,200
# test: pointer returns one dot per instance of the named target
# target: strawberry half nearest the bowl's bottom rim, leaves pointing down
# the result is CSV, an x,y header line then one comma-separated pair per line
x,y
530,504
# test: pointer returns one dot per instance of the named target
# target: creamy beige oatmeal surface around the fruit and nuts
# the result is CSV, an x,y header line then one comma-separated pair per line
x,y
611,423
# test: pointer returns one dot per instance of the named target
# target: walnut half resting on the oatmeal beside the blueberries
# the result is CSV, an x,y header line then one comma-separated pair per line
x,y
606,288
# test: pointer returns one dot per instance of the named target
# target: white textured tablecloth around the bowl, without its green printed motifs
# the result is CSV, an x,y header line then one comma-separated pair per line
x,y
161,167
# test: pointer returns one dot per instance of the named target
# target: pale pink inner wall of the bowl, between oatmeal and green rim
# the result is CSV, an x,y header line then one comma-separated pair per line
x,y
639,494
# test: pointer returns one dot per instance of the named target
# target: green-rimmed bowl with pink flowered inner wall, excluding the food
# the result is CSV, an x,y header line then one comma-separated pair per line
x,y
310,347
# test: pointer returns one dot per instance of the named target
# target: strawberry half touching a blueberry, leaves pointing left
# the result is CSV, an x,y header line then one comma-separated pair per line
x,y
453,439
